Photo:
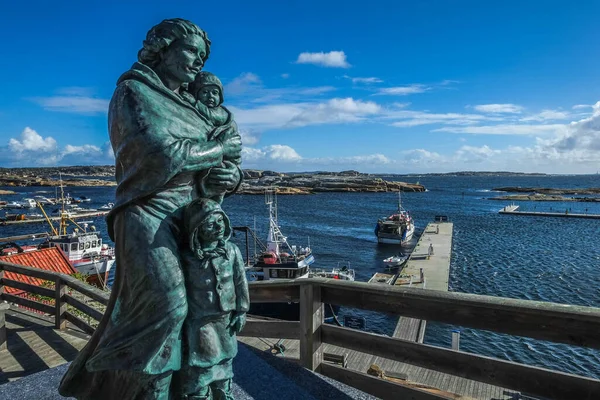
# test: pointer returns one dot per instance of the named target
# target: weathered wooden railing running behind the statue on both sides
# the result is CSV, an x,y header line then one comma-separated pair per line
x,y
557,323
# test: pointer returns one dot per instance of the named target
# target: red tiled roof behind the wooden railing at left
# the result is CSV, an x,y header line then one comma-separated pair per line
x,y
50,259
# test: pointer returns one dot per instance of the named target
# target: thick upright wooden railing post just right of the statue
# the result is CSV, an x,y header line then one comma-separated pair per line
x,y
311,319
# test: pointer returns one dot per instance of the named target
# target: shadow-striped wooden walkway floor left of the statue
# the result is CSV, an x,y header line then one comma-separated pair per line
x,y
34,345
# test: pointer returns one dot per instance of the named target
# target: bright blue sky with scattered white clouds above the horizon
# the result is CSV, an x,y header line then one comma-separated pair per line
x,y
383,86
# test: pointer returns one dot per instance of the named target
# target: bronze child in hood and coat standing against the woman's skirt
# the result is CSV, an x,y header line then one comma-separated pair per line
x,y
218,299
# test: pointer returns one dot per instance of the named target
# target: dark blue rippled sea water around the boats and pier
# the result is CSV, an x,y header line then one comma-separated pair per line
x,y
534,258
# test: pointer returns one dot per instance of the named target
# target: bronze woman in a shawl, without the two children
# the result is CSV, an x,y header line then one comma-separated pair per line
x,y
160,143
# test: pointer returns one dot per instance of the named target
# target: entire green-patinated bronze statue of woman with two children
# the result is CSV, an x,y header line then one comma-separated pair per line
x,y
172,157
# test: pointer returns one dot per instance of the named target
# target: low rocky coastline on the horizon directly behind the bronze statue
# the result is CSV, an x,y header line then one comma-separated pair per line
x,y
255,181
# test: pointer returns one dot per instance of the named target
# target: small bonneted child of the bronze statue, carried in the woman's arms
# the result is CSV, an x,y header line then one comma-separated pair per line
x,y
207,89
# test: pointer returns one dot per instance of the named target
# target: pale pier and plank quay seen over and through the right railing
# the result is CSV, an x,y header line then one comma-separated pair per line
x,y
427,268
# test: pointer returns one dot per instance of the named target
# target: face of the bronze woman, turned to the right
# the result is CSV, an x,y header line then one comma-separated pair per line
x,y
184,58
